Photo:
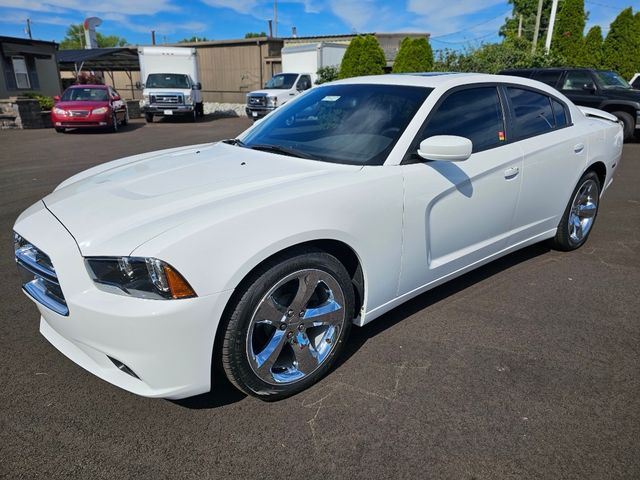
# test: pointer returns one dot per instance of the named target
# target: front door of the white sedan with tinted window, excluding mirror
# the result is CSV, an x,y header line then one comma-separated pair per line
x,y
459,213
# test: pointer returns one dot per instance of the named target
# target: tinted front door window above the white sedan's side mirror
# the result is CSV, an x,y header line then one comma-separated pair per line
x,y
474,113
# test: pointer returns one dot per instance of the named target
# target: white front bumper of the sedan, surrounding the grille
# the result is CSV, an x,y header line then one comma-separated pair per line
x,y
167,344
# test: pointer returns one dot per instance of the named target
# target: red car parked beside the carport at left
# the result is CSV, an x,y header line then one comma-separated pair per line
x,y
89,106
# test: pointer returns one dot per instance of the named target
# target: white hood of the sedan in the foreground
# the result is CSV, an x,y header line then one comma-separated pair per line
x,y
118,206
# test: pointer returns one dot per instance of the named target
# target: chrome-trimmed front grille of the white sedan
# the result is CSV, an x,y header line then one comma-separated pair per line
x,y
38,276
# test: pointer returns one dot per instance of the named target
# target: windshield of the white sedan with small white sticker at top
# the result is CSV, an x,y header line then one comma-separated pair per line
x,y
351,124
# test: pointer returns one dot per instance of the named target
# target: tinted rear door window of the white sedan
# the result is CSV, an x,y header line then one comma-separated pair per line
x,y
532,112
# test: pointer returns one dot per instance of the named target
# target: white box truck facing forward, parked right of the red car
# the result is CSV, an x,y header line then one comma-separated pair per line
x,y
170,82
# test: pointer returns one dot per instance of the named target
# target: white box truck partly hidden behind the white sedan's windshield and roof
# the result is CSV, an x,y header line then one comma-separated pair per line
x,y
300,64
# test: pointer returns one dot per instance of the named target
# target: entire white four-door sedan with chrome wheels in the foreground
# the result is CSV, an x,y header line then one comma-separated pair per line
x,y
253,256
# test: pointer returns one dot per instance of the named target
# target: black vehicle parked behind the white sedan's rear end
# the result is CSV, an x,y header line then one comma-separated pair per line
x,y
602,89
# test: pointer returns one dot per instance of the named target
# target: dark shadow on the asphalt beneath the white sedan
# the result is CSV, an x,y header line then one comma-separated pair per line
x,y
224,393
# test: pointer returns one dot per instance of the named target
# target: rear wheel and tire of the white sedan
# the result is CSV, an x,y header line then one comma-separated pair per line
x,y
580,215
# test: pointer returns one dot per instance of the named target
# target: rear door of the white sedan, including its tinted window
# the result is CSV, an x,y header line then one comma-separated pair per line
x,y
554,151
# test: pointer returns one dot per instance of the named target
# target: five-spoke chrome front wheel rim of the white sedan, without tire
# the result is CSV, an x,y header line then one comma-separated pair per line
x,y
295,327
